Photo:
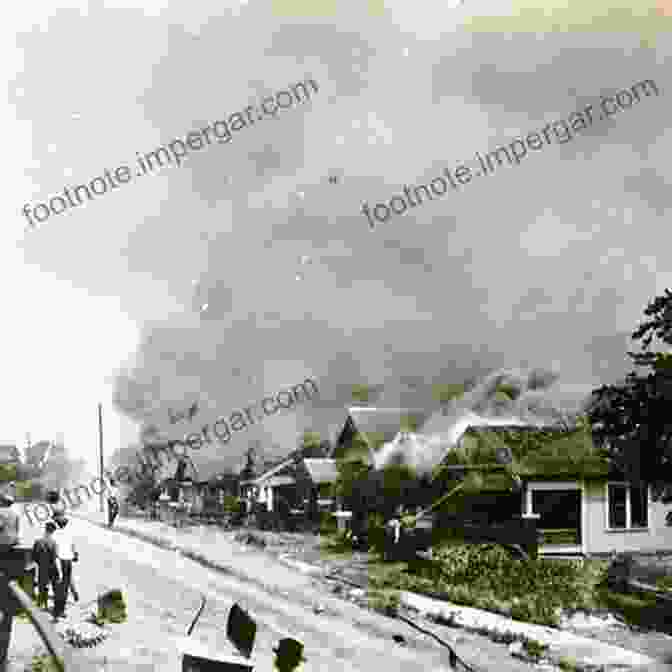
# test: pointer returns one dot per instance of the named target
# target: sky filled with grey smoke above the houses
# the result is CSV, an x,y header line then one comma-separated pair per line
x,y
549,263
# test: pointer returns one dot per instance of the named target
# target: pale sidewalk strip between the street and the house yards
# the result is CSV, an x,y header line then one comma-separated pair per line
x,y
217,549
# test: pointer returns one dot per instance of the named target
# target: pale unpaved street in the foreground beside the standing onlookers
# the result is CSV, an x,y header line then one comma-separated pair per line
x,y
162,590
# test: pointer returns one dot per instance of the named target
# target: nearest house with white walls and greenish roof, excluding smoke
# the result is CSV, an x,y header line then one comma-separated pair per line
x,y
582,504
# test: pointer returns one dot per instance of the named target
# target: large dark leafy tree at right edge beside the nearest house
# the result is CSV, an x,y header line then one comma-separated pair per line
x,y
632,418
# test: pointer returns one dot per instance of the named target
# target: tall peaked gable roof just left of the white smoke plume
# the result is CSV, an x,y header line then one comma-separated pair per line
x,y
376,426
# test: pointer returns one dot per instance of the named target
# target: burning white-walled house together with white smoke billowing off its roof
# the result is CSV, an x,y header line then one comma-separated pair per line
x,y
518,457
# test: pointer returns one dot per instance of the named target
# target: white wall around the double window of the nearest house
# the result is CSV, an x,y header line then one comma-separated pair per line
x,y
658,537
